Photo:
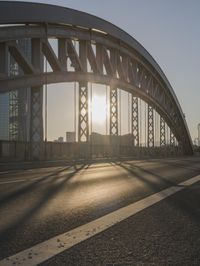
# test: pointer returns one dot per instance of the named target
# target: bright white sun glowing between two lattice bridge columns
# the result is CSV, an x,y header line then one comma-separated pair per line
x,y
98,109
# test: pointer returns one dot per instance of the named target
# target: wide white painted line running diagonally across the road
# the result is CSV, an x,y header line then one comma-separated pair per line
x,y
49,248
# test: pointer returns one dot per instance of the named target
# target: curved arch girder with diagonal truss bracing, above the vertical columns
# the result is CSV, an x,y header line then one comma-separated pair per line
x,y
102,58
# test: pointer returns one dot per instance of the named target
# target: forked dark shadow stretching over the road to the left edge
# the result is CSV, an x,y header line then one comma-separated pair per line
x,y
53,188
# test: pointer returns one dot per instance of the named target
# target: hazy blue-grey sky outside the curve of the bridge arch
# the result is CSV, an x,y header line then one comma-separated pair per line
x,y
169,30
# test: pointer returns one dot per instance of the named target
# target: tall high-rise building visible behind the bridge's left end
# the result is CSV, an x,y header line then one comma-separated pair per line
x,y
15,105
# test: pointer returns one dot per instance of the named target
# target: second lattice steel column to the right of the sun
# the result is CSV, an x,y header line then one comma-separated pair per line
x,y
134,121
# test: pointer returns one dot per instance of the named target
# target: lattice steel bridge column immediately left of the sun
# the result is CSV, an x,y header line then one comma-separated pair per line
x,y
83,125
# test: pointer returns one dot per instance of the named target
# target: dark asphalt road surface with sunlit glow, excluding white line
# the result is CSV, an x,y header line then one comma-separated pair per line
x,y
38,204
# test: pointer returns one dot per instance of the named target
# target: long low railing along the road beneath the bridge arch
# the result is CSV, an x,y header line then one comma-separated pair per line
x,y
17,150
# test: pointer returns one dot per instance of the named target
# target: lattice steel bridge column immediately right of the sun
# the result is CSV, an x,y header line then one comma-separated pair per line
x,y
113,112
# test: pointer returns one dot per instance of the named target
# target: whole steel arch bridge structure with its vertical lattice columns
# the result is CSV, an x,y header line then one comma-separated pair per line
x,y
90,49
